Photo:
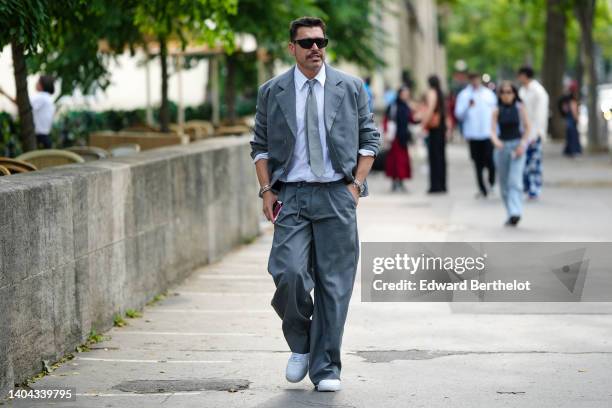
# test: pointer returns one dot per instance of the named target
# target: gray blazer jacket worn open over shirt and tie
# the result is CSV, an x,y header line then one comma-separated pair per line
x,y
348,122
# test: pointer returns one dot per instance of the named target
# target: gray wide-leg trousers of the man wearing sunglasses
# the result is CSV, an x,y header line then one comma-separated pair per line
x,y
315,246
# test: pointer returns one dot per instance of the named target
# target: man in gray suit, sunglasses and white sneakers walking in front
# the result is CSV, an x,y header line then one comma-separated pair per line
x,y
313,146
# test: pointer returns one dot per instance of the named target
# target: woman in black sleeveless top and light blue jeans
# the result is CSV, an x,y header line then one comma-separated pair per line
x,y
509,130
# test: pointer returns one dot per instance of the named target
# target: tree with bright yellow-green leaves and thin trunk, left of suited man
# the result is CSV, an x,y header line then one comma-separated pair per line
x,y
185,21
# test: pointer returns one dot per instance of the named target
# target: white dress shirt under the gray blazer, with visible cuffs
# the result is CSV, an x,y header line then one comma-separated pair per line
x,y
299,169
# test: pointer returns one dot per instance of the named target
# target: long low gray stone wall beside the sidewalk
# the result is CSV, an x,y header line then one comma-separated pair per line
x,y
83,242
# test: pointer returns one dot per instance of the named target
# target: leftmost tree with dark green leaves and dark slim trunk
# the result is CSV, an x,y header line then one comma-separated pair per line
x,y
61,39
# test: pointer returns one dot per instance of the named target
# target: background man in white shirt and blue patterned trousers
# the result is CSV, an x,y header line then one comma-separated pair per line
x,y
535,99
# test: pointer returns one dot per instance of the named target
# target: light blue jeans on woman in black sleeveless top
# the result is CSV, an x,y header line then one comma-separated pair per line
x,y
510,172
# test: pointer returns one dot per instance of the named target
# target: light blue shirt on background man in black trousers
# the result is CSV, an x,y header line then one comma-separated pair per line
x,y
475,119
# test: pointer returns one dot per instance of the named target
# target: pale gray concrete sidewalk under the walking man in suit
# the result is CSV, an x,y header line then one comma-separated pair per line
x,y
217,331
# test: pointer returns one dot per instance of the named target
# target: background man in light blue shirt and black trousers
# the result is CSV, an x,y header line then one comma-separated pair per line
x,y
474,108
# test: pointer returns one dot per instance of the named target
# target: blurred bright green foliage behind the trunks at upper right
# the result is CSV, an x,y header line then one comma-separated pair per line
x,y
496,36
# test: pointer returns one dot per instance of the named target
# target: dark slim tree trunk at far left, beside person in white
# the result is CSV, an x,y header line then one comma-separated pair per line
x,y
26,119
